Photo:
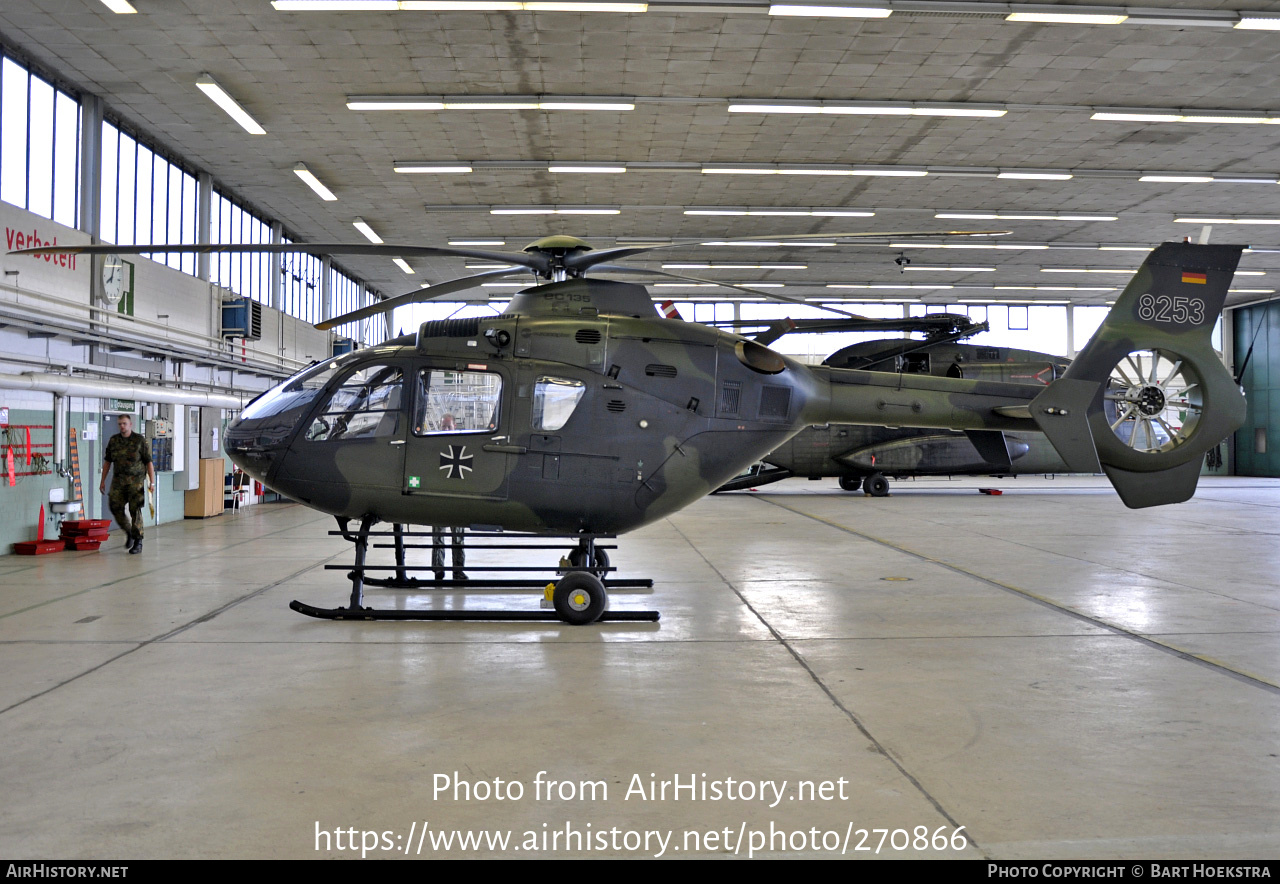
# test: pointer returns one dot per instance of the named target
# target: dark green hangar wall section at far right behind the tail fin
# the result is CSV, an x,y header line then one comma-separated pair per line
x,y
1258,443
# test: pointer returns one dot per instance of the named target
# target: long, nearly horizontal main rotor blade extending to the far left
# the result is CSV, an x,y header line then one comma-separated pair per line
x,y
532,260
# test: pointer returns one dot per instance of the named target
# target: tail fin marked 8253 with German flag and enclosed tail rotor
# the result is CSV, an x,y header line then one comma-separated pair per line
x,y
1148,397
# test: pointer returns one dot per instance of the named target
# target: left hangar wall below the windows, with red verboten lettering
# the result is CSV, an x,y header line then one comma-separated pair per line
x,y
54,320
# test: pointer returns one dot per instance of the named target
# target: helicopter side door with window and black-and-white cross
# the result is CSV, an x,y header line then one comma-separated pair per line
x,y
458,445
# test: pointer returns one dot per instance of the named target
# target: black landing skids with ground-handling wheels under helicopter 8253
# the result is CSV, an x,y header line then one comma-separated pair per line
x,y
574,592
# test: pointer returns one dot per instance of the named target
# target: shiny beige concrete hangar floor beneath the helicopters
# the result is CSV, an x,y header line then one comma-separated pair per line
x,y
1055,674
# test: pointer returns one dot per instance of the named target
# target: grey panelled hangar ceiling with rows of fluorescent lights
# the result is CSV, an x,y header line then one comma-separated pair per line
x,y
294,72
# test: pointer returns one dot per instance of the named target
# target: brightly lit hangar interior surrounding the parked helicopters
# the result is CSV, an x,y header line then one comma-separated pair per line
x,y
1058,675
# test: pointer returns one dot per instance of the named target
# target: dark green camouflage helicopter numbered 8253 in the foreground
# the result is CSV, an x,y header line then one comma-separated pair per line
x,y
580,411
